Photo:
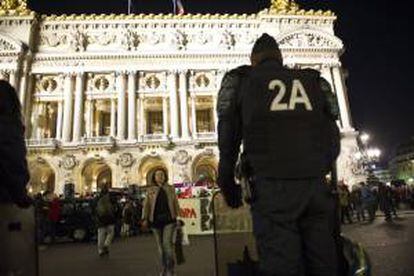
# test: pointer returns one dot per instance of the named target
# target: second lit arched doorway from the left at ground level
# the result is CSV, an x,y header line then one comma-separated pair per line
x,y
95,175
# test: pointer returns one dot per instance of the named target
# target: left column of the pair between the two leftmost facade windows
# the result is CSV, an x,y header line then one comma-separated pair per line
x,y
67,109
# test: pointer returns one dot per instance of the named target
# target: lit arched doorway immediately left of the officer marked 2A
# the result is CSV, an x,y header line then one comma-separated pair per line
x,y
205,171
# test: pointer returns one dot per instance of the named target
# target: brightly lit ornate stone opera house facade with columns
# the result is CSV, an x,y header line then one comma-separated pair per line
x,y
109,98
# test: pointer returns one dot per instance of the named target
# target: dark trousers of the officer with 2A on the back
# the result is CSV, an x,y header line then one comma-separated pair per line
x,y
293,226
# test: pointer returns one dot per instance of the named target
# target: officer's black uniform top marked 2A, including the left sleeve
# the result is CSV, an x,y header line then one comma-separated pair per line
x,y
284,136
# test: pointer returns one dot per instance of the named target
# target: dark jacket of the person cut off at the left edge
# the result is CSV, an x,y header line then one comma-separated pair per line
x,y
14,173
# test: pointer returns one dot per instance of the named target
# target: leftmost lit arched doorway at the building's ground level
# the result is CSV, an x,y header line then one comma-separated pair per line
x,y
42,178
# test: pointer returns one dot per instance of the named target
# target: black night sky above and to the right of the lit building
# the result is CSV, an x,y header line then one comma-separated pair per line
x,y
378,53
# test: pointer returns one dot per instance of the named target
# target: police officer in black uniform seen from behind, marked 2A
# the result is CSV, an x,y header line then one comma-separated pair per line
x,y
286,121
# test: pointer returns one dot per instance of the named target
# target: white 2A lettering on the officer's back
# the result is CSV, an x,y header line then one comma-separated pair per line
x,y
298,96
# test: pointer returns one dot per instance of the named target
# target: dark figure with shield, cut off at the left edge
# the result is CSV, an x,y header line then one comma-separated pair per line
x,y
17,224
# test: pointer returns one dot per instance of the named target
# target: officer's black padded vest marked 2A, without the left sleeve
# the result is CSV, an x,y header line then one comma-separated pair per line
x,y
288,129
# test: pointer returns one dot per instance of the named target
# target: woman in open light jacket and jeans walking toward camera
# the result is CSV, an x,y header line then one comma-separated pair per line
x,y
160,212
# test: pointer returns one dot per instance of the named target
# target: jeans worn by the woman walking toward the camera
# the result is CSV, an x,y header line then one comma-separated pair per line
x,y
164,239
